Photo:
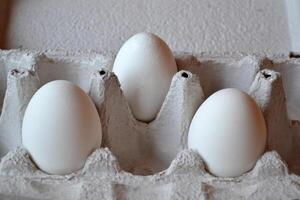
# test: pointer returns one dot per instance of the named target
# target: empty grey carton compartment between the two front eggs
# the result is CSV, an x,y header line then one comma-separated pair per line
x,y
146,148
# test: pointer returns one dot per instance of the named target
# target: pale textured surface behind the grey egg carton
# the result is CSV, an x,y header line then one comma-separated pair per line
x,y
218,26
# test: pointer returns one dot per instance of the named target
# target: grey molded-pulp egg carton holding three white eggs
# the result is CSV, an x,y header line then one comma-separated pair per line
x,y
151,161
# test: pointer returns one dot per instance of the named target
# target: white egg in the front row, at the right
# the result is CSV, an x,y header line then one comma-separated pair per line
x,y
229,133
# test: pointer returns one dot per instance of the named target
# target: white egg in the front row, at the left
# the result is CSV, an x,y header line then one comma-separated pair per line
x,y
61,127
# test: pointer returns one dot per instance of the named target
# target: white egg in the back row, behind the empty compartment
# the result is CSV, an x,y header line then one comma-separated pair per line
x,y
145,67
